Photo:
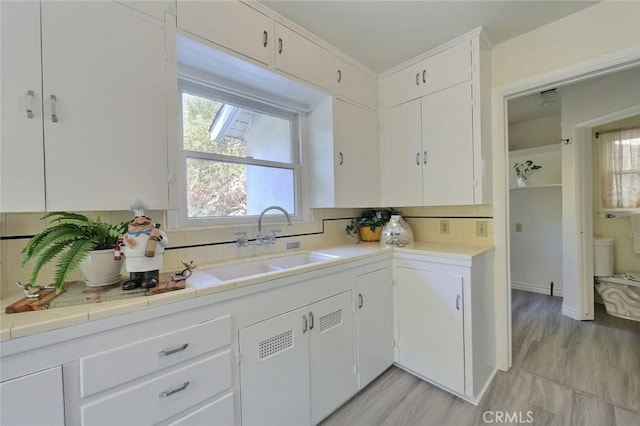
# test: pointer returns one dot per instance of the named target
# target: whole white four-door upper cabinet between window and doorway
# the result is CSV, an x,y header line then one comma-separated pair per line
x,y
436,146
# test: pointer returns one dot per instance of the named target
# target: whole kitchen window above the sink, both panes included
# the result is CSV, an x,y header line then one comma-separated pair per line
x,y
239,156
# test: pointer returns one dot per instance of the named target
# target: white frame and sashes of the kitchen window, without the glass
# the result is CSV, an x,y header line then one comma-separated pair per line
x,y
180,218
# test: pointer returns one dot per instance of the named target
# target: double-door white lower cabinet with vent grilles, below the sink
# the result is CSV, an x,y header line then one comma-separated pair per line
x,y
298,367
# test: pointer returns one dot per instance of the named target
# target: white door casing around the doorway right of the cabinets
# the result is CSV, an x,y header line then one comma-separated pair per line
x,y
605,64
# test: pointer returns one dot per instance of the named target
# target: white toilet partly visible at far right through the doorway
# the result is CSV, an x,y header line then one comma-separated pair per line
x,y
620,293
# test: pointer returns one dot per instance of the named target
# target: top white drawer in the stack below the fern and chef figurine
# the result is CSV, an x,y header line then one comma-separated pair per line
x,y
110,368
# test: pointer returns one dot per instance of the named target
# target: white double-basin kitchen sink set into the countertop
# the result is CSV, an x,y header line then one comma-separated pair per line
x,y
263,266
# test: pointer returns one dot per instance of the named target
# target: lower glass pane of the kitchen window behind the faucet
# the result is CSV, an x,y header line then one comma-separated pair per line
x,y
216,188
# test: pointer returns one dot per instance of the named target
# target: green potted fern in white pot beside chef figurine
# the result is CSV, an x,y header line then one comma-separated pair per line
x,y
76,241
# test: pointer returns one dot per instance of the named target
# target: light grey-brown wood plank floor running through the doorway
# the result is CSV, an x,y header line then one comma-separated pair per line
x,y
565,372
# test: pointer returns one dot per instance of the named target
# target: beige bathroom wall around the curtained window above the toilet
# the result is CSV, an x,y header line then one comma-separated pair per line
x,y
625,259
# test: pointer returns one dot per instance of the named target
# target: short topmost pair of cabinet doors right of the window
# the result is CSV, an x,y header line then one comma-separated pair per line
x,y
445,69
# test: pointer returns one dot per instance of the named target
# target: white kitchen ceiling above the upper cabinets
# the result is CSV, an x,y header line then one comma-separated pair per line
x,y
382,34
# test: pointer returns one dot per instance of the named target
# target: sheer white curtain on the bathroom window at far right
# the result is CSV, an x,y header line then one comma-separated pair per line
x,y
620,169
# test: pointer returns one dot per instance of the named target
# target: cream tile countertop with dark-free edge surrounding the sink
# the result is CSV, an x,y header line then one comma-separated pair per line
x,y
13,326
